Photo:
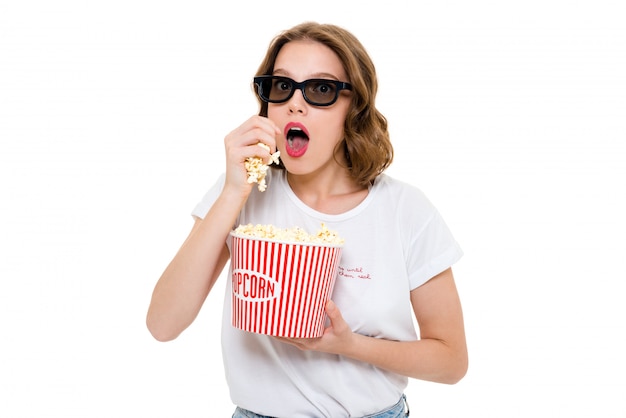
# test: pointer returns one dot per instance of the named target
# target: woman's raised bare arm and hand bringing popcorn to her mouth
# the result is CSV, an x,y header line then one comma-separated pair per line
x,y
190,276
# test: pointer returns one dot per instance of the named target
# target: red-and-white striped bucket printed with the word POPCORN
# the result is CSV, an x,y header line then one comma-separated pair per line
x,y
281,288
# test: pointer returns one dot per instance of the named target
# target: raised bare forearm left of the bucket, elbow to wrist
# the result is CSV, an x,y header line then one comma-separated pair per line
x,y
188,279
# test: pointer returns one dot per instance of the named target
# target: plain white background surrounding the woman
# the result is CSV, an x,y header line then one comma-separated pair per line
x,y
511,116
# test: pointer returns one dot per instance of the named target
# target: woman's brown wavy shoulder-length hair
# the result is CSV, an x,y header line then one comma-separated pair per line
x,y
366,142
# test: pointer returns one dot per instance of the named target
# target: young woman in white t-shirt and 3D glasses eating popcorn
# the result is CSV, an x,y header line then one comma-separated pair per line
x,y
316,89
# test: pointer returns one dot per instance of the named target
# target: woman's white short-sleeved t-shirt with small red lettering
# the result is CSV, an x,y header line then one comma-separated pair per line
x,y
395,241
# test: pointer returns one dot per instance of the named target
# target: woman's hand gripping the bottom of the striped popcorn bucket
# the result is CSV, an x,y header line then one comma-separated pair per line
x,y
335,339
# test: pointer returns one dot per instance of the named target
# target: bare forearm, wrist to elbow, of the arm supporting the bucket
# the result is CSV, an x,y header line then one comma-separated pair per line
x,y
426,359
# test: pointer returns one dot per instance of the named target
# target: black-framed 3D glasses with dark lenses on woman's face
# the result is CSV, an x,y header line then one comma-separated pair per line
x,y
318,92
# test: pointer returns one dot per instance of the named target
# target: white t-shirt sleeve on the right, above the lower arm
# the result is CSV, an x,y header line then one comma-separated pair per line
x,y
433,250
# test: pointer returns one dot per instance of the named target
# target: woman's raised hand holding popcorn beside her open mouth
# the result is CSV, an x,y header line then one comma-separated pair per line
x,y
241,144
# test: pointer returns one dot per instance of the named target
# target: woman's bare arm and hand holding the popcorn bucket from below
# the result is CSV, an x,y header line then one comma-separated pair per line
x,y
440,355
